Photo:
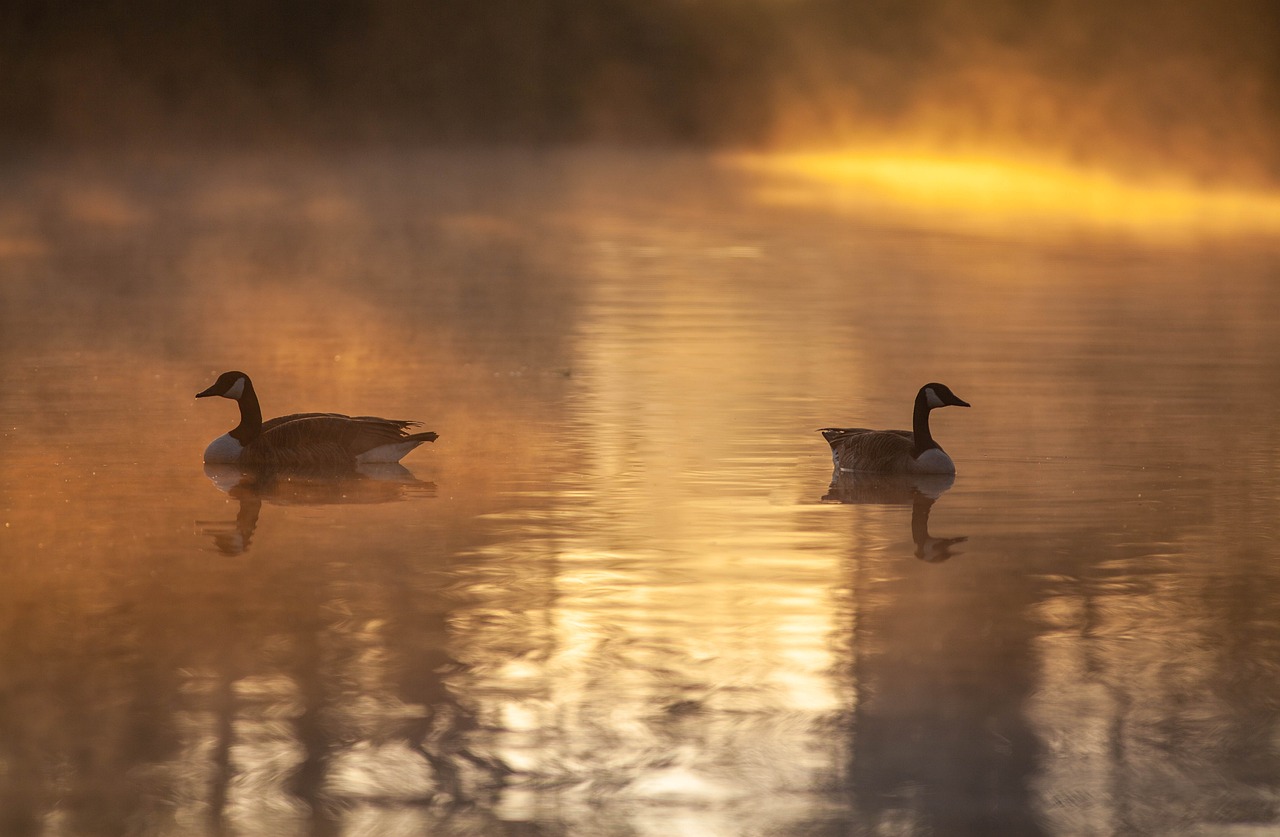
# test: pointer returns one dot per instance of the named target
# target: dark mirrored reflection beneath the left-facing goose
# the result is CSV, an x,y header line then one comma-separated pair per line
x,y
367,484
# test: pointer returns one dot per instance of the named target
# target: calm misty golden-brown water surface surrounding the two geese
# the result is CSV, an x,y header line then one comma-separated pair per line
x,y
619,596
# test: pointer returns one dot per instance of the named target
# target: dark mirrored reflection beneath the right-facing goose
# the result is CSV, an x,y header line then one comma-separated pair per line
x,y
918,491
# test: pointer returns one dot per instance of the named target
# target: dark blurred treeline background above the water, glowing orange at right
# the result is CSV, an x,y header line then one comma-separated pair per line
x,y
1199,83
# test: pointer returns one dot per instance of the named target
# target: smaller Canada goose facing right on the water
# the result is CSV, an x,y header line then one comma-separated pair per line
x,y
897,451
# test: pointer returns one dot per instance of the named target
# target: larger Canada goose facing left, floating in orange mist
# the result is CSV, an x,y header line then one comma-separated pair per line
x,y
305,440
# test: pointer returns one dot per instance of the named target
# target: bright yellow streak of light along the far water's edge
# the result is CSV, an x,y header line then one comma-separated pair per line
x,y
994,191
